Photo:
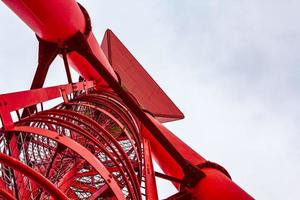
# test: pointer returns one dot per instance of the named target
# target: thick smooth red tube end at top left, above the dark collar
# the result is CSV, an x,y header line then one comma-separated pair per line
x,y
53,21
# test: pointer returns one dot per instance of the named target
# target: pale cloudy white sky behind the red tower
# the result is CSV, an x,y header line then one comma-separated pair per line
x,y
231,66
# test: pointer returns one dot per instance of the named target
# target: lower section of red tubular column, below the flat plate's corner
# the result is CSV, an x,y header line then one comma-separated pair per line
x,y
215,185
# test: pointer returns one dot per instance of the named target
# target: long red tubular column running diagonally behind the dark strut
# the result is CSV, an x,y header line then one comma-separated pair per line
x,y
59,20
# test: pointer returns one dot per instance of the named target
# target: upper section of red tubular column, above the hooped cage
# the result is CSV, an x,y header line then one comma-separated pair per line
x,y
57,21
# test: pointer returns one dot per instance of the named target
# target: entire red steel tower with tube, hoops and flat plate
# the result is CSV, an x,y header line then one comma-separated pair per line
x,y
99,142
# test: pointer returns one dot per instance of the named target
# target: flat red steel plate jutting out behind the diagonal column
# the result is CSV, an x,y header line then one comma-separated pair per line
x,y
137,81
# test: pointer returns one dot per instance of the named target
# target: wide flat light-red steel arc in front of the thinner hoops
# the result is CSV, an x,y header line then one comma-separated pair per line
x,y
80,150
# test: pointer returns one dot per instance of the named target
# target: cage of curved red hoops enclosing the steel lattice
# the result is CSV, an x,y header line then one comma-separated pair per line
x,y
89,147
